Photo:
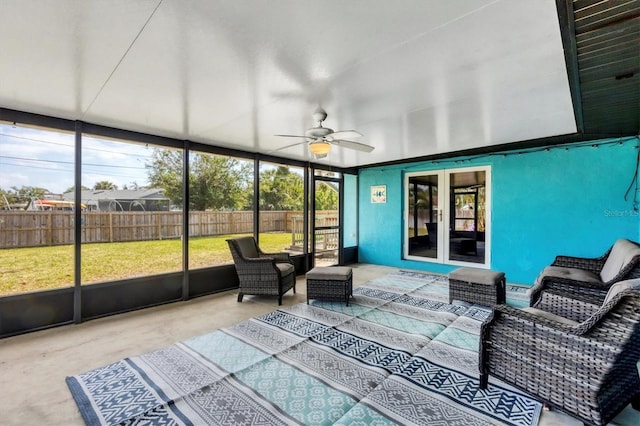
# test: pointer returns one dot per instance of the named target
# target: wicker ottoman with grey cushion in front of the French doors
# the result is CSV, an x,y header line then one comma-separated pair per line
x,y
481,286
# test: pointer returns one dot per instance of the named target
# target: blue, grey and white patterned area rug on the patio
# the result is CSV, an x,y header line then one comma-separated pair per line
x,y
398,354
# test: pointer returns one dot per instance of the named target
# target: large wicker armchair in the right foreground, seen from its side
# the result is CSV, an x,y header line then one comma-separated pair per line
x,y
587,369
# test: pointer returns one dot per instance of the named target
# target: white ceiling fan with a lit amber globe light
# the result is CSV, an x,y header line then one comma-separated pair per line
x,y
319,138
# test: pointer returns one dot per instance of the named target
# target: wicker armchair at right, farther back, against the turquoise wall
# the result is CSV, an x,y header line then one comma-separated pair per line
x,y
591,276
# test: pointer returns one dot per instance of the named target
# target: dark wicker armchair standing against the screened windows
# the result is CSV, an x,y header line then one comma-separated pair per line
x,y
261,273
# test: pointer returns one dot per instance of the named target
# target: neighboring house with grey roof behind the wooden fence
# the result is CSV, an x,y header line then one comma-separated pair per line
x,y
108,200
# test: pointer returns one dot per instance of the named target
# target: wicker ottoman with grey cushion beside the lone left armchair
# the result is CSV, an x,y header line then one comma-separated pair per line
x,y
332,283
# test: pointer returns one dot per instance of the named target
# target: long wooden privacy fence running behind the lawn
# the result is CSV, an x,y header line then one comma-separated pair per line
x,y
32,229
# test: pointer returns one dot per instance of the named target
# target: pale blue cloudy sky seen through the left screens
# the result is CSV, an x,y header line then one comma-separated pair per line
x,y
43,158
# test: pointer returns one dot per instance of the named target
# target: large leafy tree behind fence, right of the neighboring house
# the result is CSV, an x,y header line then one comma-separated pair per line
x,y
215,182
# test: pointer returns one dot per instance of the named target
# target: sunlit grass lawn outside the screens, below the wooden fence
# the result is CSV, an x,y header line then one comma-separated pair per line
x,y
41,268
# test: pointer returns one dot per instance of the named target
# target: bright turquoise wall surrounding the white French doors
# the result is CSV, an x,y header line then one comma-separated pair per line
x,y
564,200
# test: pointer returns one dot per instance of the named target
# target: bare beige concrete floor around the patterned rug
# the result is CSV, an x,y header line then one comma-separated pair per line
x,y
33,366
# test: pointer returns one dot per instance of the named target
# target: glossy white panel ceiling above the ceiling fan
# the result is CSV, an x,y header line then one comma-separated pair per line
x,y
415,77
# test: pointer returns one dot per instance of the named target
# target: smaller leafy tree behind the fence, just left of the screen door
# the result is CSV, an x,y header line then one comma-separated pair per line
x,y
281,189
